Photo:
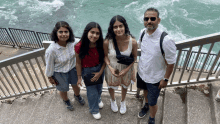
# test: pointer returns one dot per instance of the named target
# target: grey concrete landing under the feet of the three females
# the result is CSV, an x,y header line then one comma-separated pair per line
x,y
49,108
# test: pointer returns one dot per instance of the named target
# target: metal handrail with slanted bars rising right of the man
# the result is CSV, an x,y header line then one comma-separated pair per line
x,y
189,44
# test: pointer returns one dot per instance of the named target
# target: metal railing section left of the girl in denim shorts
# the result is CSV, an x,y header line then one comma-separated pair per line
x,y
23,74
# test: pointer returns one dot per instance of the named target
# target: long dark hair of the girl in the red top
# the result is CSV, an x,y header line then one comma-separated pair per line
x,y
84,49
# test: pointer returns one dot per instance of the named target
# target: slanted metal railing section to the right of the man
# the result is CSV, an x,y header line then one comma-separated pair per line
x,y
199,63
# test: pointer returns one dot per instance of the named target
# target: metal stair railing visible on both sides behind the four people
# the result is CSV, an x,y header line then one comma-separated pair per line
x,y
24,74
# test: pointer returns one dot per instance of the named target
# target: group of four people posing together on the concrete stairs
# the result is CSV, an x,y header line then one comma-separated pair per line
x,y
93,58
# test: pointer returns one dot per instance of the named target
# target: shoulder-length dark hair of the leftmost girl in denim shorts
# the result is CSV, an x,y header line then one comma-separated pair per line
x,y
57,27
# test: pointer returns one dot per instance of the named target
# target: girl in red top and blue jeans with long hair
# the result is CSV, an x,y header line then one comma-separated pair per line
x,y
90,63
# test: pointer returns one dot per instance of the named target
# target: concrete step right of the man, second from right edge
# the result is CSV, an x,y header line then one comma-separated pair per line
x,y
198,106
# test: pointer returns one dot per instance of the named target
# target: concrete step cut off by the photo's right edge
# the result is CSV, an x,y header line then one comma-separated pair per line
x,y
216,105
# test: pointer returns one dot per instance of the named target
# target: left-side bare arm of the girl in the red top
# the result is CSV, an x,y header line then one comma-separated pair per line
x,y
78,69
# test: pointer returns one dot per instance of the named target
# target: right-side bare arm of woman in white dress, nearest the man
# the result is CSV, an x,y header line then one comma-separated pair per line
x,y
134,53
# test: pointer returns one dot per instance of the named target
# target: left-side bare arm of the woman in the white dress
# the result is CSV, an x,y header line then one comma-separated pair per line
x,y
106,59
